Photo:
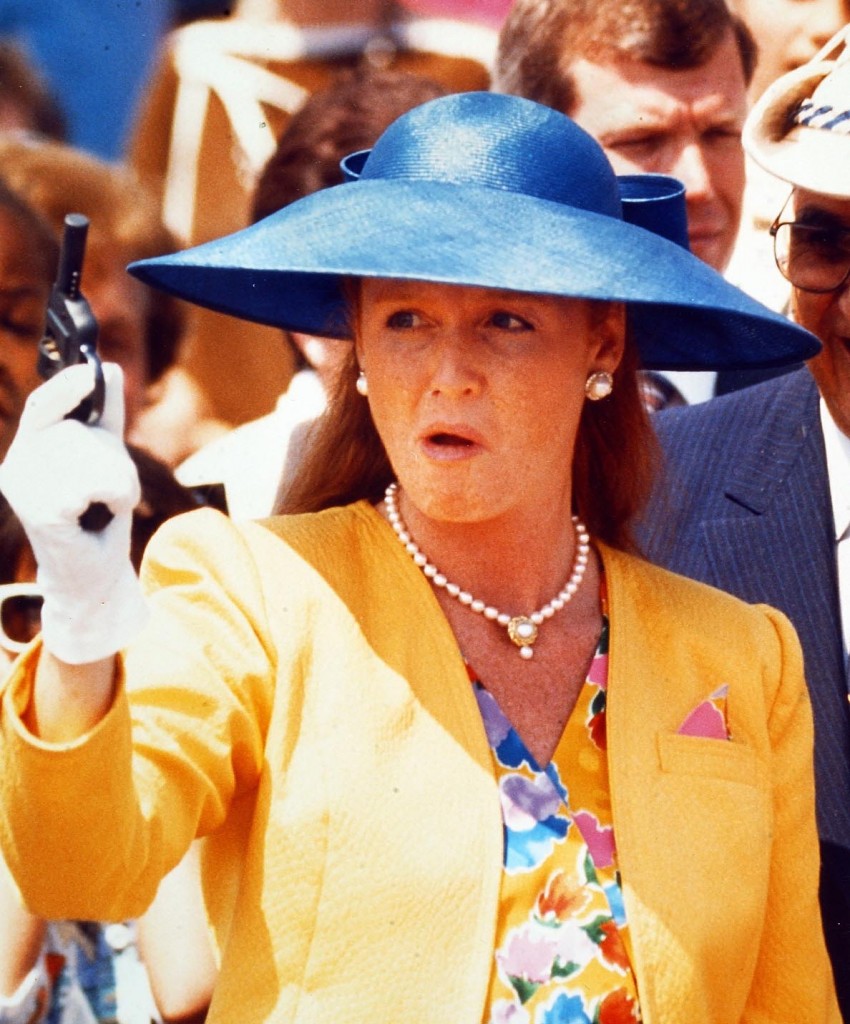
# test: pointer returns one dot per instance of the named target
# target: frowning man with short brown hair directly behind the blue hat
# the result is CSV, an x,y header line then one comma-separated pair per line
x,y
661,86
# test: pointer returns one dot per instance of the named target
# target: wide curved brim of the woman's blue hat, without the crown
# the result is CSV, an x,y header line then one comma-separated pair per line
x,y
287,271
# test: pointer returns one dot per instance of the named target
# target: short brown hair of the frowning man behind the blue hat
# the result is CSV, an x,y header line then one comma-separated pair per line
x,y
540,39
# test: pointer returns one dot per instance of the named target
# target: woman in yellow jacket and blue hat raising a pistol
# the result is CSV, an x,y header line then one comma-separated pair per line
x,y
459,757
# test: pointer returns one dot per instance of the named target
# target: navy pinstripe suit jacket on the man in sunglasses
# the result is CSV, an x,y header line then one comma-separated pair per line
x,y
744,504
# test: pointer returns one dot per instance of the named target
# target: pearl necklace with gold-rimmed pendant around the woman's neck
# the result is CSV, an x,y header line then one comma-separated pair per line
x,y
523,630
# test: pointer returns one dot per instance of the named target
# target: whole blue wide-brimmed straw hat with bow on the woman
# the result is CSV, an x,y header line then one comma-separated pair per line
x,y
492,191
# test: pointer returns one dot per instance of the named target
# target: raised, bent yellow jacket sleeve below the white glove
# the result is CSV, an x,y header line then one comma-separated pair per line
x,y
90,829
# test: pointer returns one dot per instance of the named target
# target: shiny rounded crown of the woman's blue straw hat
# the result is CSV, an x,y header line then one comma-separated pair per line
x,y
485,140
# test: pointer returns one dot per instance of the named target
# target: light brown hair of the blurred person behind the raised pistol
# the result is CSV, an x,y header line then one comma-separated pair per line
x,y
56,180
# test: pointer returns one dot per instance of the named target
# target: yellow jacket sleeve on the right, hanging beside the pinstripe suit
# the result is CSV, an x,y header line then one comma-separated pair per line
x,y
793,980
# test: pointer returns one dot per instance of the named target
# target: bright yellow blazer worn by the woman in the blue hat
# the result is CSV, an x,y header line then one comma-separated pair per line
x,y
300,699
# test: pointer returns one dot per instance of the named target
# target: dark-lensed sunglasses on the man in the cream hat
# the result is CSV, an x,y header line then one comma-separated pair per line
x,y
814,255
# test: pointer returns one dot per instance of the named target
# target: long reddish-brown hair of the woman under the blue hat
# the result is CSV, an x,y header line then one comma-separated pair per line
x,y
614,464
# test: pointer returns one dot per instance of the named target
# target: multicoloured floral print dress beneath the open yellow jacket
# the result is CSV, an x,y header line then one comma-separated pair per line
x,y
563,954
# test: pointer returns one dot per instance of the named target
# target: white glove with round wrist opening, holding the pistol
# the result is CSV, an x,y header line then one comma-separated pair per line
x,y
55,470
